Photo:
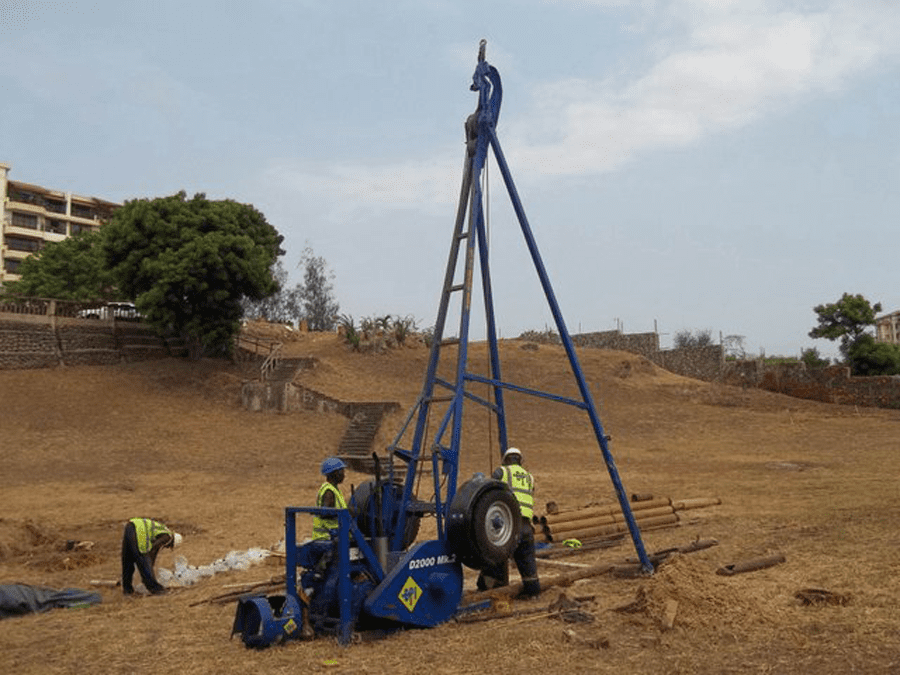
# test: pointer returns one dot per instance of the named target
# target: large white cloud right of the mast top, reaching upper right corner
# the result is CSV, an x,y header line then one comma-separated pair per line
x,y
731,68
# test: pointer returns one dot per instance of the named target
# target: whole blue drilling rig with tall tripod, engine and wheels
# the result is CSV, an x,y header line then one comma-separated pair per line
x,y
379,577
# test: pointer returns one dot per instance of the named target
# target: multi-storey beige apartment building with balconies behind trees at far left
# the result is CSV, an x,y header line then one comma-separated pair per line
x,y
31,216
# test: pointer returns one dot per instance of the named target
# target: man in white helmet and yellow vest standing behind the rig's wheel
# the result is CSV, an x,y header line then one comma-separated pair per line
x,y
521,483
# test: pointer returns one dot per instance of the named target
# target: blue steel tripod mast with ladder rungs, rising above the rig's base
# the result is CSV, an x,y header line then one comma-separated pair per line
x,y
470,235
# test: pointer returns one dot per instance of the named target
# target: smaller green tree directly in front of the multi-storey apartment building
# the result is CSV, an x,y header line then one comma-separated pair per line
x,y
71,269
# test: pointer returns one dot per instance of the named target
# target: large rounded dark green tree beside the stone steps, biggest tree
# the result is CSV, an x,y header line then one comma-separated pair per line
x,y
188,263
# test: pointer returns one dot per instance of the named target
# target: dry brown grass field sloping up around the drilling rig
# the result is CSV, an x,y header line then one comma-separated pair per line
x,y
84,449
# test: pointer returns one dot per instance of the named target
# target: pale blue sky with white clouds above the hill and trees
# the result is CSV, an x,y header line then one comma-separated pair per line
x,y
685,165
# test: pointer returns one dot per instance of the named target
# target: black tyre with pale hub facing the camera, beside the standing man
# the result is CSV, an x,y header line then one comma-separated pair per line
x,y
494,527
